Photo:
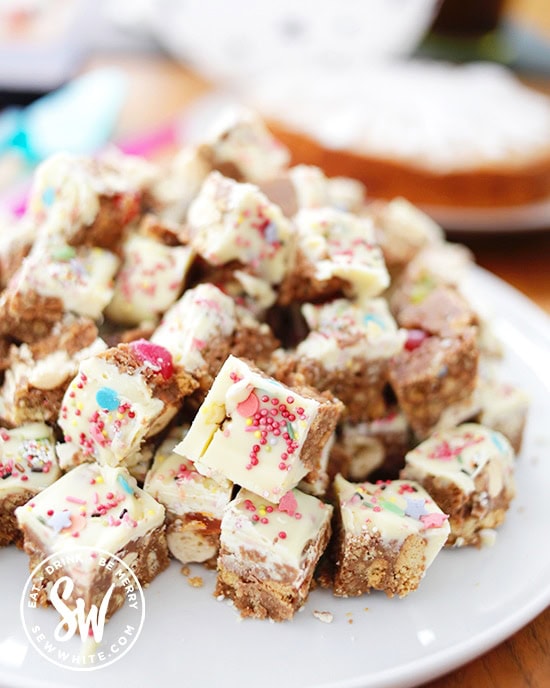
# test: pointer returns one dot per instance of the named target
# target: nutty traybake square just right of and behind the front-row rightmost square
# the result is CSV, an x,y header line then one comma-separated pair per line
x,y
468,470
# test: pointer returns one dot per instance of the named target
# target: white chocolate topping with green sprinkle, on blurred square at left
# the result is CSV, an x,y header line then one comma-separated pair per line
x,y
81,277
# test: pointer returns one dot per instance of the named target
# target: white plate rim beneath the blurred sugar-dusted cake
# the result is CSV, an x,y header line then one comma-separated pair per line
x,y
534,216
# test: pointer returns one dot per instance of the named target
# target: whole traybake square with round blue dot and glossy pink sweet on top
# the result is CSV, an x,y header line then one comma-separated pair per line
x,y
118,399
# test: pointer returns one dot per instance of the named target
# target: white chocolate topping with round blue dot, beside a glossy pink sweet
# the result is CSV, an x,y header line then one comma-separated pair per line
x,y
106,413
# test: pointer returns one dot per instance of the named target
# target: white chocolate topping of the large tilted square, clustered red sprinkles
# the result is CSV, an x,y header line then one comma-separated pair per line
x,y
251,430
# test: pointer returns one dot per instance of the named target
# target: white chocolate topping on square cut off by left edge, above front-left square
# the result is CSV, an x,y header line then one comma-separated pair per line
x,y
27,459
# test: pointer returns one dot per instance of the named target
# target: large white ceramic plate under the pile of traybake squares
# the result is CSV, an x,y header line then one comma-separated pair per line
x,y
469,601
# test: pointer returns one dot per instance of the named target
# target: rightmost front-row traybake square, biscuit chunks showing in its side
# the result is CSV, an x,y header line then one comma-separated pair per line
x,y
388,534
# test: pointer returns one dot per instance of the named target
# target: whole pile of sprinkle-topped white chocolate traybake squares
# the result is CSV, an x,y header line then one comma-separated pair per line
x,y
234,361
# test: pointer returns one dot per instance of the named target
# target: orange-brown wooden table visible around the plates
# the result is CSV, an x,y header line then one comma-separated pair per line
x,y
159,90
